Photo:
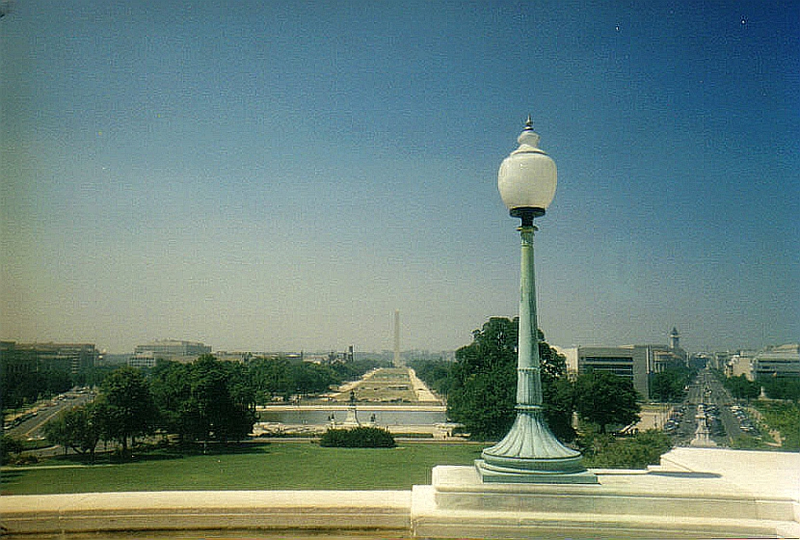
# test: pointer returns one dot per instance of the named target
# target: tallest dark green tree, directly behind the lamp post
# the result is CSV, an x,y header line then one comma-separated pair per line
x,y
484,380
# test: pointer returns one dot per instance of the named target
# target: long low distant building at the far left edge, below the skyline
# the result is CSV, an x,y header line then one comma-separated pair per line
x,y
73,358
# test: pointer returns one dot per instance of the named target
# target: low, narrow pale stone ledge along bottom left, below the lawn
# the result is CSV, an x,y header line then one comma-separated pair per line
x,y
265,510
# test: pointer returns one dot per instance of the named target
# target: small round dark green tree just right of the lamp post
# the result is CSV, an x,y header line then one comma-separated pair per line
x,y
606,399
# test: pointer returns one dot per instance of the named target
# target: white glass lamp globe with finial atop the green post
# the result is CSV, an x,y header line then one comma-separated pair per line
x,y
527,177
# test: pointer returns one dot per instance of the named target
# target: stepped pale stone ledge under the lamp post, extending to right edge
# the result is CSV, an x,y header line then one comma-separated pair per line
x,y
695,493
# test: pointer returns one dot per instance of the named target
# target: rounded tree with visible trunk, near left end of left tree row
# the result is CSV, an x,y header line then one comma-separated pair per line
x,y
128,407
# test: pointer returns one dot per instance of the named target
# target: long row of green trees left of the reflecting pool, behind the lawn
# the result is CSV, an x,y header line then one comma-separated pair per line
x,y
206,400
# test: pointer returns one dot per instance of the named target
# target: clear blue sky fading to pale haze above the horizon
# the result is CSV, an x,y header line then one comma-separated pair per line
x,y
284,175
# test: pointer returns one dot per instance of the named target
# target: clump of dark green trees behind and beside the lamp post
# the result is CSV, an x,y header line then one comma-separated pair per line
x,y
481,387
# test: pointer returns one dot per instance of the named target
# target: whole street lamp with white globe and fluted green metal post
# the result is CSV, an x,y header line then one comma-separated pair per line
x,y
529,453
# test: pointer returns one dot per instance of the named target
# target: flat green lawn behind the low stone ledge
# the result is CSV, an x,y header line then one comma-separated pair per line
x,y
290,465
